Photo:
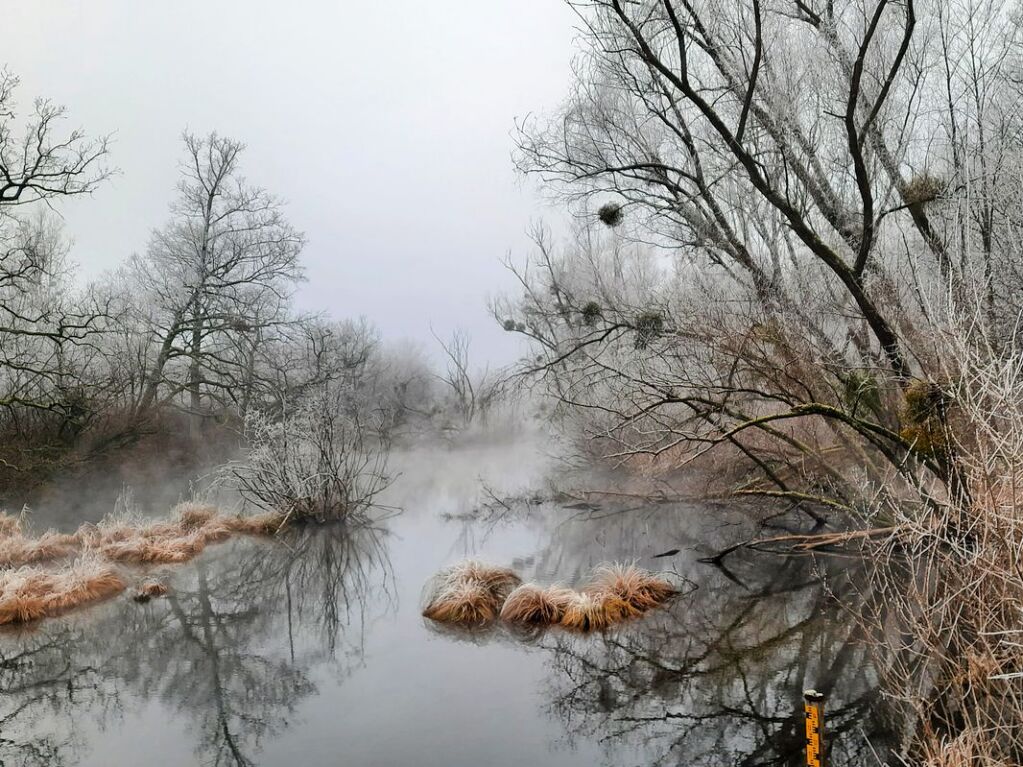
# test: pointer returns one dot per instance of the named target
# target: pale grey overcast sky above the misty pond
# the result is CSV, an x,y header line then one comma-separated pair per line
x,y
385,125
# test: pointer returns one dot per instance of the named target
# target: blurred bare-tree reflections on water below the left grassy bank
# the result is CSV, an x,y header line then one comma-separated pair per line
x,y
231,648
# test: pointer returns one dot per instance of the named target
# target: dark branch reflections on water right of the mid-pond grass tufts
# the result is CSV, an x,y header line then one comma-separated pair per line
x,y
718,678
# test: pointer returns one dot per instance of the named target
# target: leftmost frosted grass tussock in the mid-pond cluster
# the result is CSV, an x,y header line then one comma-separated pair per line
x,y
470,594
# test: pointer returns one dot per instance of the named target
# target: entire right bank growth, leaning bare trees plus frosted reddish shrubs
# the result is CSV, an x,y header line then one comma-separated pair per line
x,y
800,245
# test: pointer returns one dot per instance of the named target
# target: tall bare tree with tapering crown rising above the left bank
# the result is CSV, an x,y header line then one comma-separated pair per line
x,y
223,268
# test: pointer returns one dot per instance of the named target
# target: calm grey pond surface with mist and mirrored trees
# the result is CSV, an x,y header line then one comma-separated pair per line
x,y
313,651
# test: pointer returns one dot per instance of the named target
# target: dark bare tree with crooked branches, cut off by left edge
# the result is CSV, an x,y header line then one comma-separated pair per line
x,y
48,330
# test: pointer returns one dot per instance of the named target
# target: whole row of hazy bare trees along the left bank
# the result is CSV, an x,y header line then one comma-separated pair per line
x,y
199,329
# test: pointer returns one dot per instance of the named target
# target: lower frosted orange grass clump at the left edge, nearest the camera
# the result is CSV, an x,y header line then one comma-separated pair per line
x,y
31,594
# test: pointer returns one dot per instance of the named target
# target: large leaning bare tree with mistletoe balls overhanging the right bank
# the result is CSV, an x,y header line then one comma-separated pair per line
x,y
771,165
